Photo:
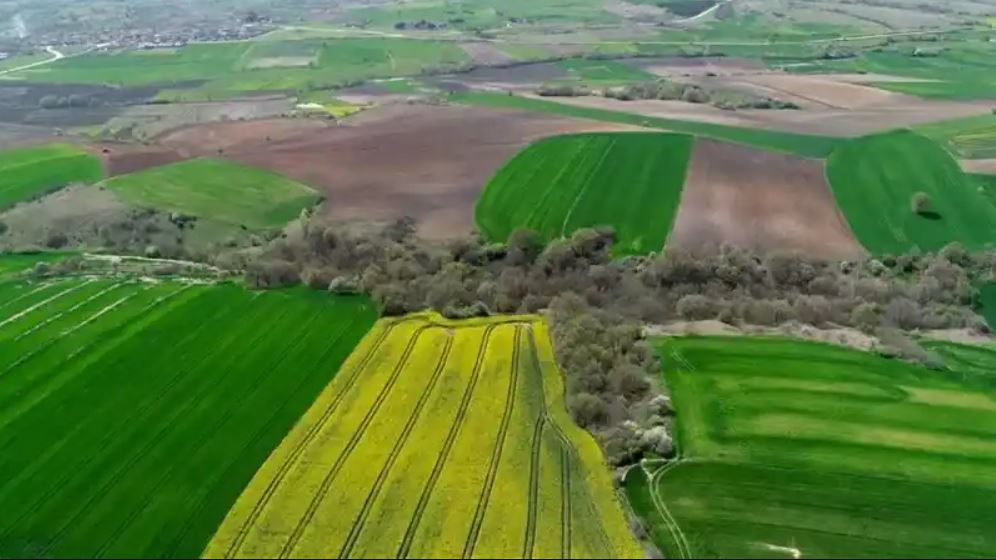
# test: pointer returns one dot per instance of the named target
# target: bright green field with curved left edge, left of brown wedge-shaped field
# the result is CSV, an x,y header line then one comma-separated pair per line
x,y
630,181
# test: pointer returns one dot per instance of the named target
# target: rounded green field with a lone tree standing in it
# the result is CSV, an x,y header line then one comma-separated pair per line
x,y
875,177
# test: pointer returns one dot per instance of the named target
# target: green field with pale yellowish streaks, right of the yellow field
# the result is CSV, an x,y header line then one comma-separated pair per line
x,y
796,448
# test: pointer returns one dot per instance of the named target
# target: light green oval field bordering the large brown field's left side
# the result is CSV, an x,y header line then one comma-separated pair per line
x,y
217,189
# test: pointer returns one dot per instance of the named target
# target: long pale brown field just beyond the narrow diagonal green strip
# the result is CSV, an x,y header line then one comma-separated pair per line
x,y
826,121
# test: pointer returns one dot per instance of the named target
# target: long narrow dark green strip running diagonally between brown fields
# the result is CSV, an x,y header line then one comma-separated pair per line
x,y
799,144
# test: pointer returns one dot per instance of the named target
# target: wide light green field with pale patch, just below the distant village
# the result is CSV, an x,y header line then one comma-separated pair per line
x,y
231,69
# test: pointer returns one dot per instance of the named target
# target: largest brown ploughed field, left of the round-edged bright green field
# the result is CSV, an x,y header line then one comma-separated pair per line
x,y
429,162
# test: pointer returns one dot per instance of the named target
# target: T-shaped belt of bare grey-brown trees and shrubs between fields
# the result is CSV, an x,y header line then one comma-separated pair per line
x,y
596,304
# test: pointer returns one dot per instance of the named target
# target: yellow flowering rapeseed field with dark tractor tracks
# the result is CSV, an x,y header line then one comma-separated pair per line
x,y
438,439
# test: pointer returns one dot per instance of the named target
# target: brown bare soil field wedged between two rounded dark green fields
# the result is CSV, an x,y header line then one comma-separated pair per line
x,y
761,201
